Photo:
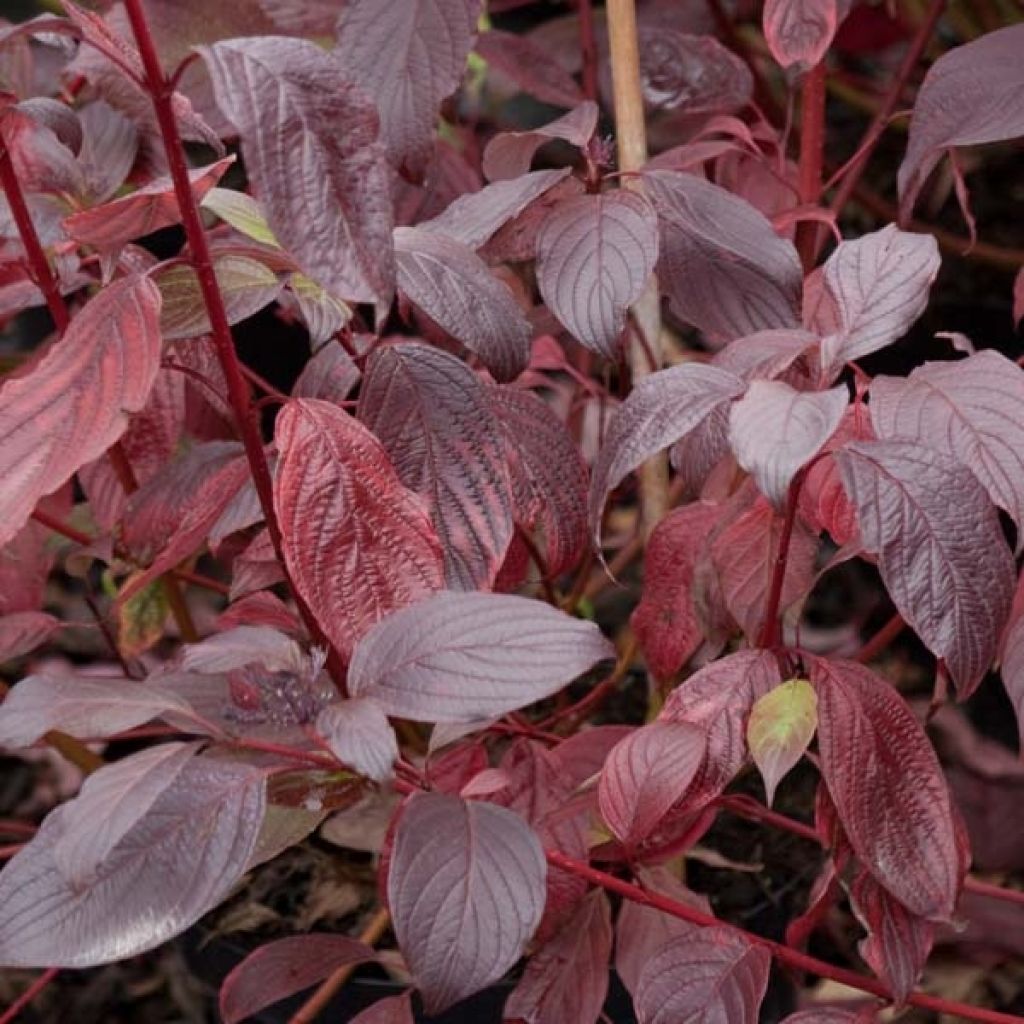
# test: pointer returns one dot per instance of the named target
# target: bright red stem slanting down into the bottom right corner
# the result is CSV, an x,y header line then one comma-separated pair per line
x,y
784,955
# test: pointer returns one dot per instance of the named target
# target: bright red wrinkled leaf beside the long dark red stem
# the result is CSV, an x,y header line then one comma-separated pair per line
x,y
357,543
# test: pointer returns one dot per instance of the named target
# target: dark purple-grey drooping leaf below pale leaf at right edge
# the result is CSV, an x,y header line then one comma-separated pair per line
x,y
941,549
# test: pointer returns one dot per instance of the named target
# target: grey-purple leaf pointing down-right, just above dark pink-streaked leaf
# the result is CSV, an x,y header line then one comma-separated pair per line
x,y
453,286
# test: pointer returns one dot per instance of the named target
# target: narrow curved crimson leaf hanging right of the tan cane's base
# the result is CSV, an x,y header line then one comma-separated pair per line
x,y
666,621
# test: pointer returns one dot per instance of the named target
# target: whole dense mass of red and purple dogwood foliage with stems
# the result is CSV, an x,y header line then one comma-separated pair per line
x,y
449,441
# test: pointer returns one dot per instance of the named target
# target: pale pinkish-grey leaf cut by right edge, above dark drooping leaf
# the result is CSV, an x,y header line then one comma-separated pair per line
x,y
977,407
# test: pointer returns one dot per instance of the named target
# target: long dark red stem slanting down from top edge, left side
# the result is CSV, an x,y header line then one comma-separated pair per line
x,y
238,390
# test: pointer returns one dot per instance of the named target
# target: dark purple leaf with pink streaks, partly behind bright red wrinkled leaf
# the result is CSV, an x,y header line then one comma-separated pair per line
x,y
433,415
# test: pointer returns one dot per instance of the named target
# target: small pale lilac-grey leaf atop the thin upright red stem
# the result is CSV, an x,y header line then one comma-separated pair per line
x,y
776,431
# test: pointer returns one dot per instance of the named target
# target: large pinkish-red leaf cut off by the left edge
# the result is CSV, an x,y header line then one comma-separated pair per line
x,y
76,402
